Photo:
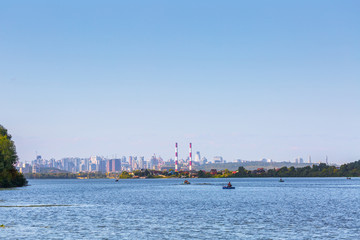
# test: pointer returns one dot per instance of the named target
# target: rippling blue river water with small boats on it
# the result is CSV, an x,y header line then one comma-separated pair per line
x,y
258,208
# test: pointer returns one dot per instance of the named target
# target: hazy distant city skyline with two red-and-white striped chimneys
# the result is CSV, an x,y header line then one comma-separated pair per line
x,y
132,163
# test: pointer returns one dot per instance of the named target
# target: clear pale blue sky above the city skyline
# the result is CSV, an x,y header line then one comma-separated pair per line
x,y
239,79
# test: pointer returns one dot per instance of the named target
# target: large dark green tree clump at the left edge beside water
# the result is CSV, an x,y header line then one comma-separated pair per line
x,y
9,176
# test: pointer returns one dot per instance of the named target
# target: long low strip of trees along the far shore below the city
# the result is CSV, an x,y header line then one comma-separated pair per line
x,y
322,170
